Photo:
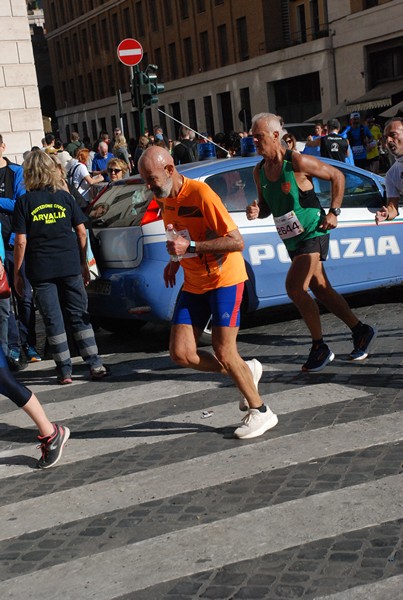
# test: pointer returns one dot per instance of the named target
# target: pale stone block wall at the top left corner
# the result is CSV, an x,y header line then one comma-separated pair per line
x,y
20,113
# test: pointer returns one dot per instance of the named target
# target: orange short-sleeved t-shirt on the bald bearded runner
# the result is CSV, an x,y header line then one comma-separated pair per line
x,y
198,214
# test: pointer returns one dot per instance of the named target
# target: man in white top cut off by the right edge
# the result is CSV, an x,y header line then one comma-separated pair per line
x,y
394,176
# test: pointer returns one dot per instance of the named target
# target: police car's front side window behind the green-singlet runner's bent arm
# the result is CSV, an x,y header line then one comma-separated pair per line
x,y
359,191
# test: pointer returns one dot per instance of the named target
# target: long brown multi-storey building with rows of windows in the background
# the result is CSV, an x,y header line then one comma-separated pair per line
x,y
222,60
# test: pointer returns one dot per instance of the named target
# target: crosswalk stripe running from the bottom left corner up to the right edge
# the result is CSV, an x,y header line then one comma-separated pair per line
x,y
246,536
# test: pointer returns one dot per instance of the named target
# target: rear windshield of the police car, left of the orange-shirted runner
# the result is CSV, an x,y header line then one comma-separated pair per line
x,y
121,206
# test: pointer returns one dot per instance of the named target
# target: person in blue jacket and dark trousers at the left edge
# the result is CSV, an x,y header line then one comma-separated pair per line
x,y
23,334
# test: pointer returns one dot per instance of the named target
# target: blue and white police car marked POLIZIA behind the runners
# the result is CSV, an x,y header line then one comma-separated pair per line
x,y
129,240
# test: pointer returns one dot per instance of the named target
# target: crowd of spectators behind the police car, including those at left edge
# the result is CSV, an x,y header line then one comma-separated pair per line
x,y
90,165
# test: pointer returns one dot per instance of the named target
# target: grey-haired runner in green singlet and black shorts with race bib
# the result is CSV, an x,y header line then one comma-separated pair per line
x,y
285,190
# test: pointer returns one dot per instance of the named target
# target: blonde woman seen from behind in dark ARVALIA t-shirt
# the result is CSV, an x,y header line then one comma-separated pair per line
x,y
51,235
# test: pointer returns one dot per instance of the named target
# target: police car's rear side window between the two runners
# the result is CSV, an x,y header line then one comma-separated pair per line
x,y
235,187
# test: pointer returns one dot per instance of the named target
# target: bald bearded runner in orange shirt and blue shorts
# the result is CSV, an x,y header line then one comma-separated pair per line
x,y
209,247
